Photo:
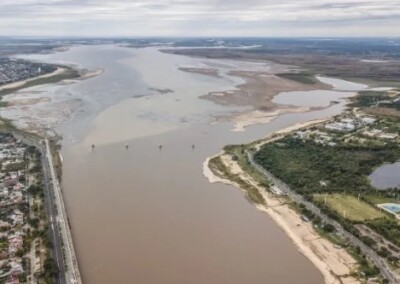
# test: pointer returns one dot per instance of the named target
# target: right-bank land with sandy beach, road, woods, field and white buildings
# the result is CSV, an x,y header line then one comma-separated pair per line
x,y
316,180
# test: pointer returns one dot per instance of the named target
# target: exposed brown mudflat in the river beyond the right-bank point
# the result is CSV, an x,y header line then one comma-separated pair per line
x,y
257,91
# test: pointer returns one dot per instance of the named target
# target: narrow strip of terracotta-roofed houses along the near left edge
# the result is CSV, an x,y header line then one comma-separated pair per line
x,y
13,195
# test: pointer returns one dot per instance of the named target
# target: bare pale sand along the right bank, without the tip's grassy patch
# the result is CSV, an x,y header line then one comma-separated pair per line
x,y
334,263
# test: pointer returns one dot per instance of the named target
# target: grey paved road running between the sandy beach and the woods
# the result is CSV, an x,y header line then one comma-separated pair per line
x,y
378,261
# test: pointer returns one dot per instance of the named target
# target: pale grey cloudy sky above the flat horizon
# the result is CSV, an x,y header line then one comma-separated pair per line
x,y
269,18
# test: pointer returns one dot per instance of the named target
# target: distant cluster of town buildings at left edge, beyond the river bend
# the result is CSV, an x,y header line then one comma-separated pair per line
x,y
13,70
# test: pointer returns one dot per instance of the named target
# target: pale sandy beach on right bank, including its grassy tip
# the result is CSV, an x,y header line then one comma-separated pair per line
x,y
335,264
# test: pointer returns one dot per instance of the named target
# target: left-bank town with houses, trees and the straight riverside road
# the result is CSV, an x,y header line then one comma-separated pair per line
x,y
35,241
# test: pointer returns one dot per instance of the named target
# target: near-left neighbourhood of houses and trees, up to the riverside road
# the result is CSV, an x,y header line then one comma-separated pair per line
x,y
25,245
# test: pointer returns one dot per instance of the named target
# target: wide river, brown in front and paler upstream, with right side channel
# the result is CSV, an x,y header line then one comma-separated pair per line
x,y
149,216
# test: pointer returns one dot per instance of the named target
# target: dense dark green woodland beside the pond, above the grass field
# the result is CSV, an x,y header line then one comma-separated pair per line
x,y
309,168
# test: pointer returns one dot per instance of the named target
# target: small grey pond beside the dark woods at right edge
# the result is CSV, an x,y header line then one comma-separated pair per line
x,y
386,176
